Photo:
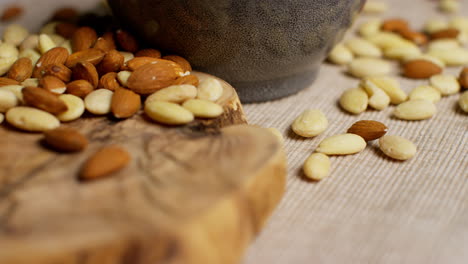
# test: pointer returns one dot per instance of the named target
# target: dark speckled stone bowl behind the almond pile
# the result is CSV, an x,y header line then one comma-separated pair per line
x,y
267,49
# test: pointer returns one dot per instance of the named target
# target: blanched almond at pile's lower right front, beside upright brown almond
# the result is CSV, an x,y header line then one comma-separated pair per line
x,y
168,113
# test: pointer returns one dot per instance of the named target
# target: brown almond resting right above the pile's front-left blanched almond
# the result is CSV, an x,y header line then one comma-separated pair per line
x,y
44,100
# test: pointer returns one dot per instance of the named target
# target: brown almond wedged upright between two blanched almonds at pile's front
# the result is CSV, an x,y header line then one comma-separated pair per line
x,y
125,103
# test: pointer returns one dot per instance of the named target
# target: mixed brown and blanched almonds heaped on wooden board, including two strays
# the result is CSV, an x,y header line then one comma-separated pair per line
x,y
57,75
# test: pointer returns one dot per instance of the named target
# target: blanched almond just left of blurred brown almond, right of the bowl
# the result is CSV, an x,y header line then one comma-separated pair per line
x,y
367,67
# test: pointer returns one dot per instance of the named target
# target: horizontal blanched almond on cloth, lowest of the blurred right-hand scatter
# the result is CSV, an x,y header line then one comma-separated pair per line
x,y
415,110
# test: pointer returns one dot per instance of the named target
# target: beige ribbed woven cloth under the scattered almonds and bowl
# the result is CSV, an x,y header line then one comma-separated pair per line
x,y
371,209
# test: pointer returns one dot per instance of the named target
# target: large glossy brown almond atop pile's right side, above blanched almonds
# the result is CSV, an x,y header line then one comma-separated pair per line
x,y
152,77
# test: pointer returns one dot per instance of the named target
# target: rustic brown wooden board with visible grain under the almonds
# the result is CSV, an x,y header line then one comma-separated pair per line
x,y
192,194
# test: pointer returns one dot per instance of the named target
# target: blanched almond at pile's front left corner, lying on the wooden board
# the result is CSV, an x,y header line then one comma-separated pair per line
x,y
31,119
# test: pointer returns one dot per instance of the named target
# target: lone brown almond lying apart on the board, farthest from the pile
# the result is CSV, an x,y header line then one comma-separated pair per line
x,y
104,162
